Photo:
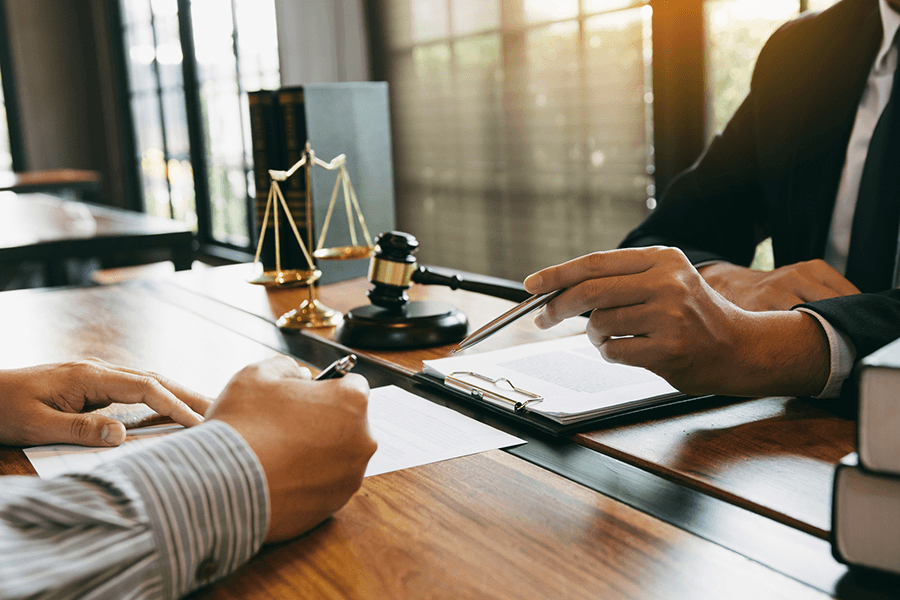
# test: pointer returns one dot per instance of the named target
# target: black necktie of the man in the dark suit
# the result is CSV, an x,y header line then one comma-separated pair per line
x,y
871,261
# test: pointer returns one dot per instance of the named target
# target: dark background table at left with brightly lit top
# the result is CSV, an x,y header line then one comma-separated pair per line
x,y
45,228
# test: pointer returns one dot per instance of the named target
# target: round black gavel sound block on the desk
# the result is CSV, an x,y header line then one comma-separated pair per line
x,y
416,325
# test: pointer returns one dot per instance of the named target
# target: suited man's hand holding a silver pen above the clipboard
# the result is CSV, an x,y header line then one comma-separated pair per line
x,y
652,309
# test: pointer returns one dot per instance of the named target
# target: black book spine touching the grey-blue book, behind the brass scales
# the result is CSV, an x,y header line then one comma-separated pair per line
x,y
293,137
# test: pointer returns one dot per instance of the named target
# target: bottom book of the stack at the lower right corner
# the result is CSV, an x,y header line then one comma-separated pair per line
x,y
865,527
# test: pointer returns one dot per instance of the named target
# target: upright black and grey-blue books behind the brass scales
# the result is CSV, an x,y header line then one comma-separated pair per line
x,y
352,119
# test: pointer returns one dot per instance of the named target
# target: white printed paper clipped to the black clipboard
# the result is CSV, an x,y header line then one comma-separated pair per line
x,y
568,373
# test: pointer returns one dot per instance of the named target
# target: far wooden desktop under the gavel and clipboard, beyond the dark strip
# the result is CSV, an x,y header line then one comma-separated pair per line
x,y
773,456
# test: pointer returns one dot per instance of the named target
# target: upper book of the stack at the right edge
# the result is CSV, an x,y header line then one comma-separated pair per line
x,y
879,418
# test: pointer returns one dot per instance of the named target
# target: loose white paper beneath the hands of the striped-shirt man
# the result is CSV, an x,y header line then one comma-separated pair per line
x,y
410,431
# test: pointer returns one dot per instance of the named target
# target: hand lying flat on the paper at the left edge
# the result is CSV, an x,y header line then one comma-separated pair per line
x,y
46,404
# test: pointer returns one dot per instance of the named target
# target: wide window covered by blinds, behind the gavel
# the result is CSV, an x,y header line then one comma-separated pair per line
x,y
523,129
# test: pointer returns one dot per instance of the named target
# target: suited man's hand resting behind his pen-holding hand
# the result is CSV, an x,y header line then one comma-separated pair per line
x,y
780,289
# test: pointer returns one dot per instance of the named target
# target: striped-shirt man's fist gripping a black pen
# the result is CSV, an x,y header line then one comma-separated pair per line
x,y
312,438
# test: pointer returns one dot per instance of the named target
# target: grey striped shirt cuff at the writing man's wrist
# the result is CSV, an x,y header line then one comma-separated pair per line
x,y
205,494
